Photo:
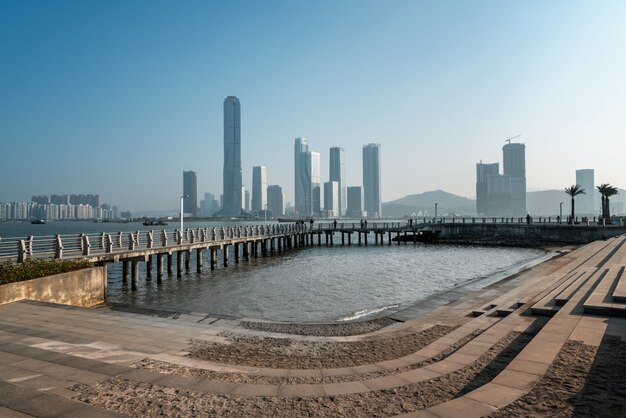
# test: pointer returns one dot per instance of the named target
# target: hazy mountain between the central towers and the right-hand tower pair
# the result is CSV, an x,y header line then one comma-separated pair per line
x,y
448,203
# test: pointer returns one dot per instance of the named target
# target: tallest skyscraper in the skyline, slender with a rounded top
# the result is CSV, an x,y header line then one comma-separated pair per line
x,y
232,158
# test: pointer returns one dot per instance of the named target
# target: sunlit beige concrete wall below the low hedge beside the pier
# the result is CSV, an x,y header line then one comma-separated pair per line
x,y
85,287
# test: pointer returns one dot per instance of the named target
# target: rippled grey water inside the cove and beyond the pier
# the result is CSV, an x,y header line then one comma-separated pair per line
x,y
308,284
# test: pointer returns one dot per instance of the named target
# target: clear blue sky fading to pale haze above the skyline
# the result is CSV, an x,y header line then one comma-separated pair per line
x,y
120,97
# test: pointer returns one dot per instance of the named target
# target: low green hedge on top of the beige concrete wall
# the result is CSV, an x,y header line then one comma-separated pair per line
x,y
33,269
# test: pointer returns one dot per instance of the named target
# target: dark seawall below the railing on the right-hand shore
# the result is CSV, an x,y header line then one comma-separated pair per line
x,y
525,235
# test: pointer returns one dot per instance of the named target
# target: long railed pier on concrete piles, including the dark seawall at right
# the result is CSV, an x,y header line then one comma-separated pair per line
x,y
190,247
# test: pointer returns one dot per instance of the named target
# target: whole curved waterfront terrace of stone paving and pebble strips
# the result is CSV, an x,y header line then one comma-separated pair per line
x,y
491,351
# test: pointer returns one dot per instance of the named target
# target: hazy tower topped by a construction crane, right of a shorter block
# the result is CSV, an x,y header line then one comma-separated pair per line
x,y
514,165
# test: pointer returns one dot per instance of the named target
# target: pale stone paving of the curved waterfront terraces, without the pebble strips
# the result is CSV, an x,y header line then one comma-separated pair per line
x,y
46,349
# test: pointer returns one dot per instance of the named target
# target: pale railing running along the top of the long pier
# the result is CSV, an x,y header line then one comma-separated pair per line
x,y
18,249
